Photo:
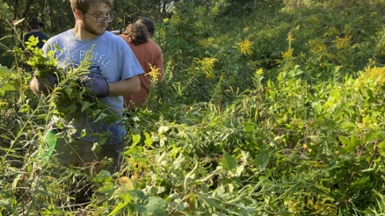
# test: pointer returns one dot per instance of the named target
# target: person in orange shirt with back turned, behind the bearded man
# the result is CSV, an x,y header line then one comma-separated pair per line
x,y
149,54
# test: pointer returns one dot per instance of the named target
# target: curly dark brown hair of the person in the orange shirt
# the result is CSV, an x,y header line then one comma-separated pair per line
x,y
136,33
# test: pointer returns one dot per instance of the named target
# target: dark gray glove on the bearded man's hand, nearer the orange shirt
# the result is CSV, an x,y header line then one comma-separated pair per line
x,y
96,85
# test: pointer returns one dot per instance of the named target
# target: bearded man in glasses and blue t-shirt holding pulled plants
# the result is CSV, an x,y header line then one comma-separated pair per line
x,y
113,74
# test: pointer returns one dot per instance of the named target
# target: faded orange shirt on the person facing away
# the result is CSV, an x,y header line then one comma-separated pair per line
x,y
147,54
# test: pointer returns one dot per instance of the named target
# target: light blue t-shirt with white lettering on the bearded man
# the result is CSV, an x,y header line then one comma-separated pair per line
x,y
113,59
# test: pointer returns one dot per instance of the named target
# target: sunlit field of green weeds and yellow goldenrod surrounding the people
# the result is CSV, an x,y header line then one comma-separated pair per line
x,y
269,107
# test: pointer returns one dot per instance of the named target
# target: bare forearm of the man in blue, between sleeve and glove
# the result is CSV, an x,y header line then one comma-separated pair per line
x,y
125,87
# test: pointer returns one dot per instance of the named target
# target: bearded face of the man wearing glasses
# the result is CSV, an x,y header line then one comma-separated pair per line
x,y
95,20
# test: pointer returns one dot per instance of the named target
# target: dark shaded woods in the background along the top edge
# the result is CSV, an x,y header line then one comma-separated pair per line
x,y
57,16
